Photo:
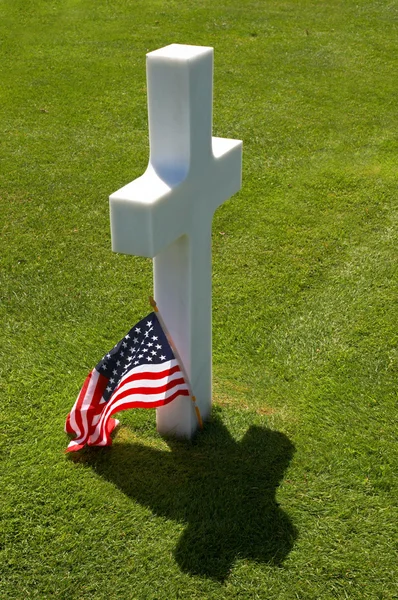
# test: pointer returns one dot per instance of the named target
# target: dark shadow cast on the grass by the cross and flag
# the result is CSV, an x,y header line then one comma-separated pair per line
x,y
222,489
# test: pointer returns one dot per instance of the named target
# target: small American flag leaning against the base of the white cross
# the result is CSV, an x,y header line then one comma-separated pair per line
x,y
141,371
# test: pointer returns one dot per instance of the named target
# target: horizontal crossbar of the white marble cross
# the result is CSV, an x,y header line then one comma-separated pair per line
x,y
150,213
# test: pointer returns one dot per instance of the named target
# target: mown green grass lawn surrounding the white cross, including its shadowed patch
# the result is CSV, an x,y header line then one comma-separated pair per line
x,y
291,490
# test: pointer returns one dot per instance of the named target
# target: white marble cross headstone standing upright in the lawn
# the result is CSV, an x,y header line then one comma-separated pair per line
x,y
167,212
